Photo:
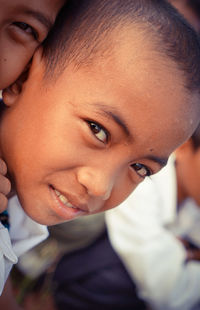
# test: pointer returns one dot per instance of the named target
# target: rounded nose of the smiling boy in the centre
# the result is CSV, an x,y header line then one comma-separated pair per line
x,y
98,183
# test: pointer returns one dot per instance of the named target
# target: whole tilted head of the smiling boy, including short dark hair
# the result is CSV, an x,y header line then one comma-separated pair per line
x,y
114,93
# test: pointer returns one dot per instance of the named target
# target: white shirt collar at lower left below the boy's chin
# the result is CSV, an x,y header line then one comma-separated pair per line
x,y
24,234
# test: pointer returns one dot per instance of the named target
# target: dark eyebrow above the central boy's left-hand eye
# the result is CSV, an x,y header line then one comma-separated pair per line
x,y
115,116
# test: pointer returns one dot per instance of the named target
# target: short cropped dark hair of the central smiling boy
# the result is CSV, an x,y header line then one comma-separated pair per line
x,y
82,25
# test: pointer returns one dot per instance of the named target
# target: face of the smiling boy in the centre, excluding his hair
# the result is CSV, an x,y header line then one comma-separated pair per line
x,y
82,144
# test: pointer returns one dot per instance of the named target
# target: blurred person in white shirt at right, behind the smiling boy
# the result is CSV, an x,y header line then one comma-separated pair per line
x,y
156,232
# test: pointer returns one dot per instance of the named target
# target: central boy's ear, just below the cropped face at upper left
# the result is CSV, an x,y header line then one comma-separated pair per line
x,y
11,93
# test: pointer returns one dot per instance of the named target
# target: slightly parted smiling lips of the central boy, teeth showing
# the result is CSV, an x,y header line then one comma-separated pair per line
x,y
65,208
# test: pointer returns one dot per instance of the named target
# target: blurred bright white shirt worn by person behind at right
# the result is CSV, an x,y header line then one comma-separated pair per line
x,y
139,230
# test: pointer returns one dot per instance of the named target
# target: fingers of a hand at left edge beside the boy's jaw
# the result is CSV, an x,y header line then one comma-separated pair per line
x,y
5,186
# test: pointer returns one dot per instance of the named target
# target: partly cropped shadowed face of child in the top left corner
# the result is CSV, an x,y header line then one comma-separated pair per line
x,y
24,24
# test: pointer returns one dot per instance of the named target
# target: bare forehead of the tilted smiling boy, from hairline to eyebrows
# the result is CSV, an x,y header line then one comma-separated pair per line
x,y
133,81
